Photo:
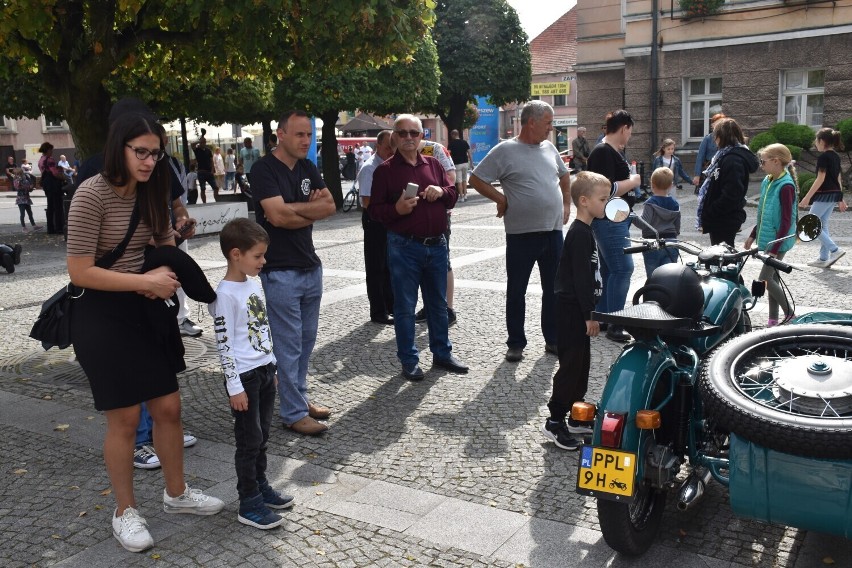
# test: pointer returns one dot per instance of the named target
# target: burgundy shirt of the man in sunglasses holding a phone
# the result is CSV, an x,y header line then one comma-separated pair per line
x,y
389,181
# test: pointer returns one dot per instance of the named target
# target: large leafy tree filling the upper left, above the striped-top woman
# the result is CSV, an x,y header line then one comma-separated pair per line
x,y
70,50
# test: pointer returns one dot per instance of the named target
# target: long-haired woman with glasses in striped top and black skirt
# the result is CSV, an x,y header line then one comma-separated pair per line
x,y
124,334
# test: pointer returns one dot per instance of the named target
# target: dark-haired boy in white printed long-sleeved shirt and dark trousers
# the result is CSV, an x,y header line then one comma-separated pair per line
x,y
245,351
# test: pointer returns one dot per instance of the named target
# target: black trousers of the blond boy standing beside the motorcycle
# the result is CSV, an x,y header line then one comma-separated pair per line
x,y
573,347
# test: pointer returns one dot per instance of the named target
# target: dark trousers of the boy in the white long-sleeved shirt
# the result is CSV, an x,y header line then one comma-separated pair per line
x,y
251,430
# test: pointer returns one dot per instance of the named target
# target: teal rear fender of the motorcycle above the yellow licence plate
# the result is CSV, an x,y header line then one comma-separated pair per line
x,y
629,387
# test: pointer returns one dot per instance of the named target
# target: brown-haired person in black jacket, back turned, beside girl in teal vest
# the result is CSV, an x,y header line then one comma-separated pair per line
x,y
721,199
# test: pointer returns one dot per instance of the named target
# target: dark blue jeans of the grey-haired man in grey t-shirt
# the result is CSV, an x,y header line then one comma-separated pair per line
x,y
522,252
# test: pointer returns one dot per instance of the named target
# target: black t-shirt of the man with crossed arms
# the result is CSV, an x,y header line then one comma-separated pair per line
x,y
270,177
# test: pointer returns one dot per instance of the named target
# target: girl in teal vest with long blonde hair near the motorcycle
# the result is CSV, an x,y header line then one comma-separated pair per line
x,y
776,219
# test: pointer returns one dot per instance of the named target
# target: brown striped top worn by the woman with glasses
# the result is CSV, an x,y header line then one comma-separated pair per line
x,y
98,220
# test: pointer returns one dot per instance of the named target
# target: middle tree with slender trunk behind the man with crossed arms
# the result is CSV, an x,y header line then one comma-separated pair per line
x,y
402,85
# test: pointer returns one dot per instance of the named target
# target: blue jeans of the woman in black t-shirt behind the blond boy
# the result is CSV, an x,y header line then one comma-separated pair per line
x,y
616,267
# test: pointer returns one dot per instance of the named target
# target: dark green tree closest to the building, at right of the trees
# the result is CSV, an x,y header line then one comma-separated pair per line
x,y
482,50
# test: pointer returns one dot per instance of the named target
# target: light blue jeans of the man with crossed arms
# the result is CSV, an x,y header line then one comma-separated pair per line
x,y
292,302
